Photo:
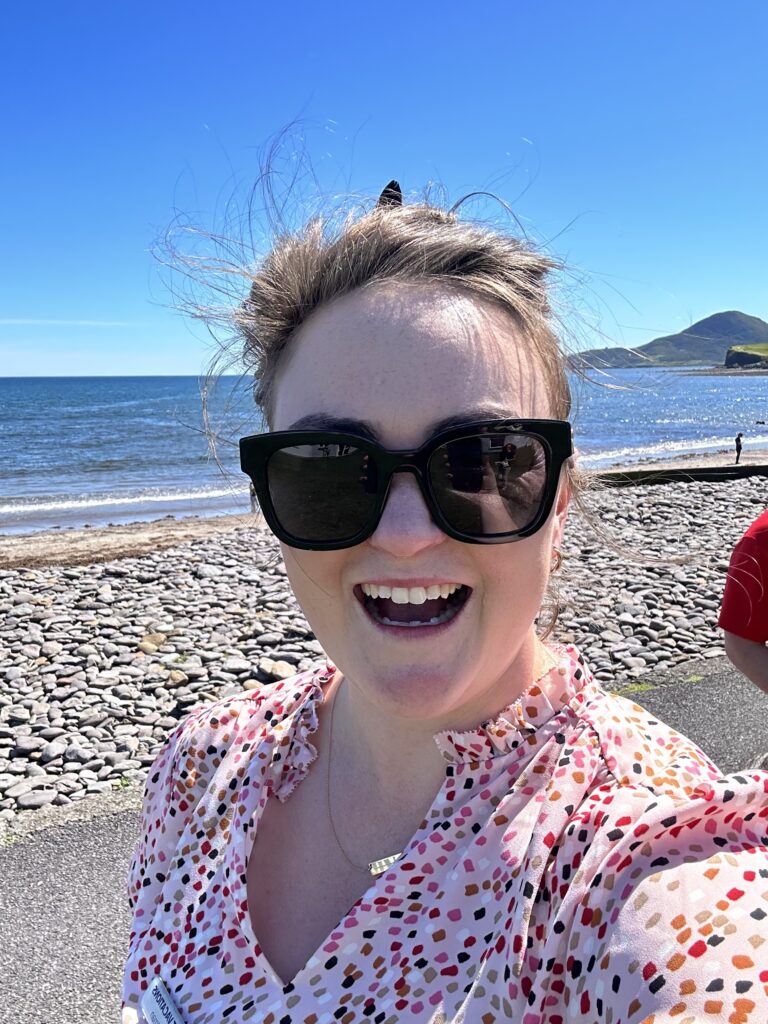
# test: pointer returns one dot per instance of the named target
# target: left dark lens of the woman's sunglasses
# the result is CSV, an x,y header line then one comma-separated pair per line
x,y
322,492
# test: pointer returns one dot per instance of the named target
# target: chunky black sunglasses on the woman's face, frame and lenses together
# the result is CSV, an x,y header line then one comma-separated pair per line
x,y
489,483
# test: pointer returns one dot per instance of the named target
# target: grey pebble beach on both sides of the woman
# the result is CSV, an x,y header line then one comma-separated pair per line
x,y
106,644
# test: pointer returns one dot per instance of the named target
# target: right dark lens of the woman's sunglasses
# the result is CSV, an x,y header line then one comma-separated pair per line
x,y
488,485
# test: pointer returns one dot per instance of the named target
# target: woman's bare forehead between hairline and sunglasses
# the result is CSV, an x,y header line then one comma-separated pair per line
x,y
402,358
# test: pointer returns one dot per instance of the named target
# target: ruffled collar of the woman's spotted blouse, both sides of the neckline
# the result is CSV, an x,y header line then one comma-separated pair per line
x,y
294,718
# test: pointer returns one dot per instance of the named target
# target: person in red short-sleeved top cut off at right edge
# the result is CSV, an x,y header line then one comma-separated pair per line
x,y
744,615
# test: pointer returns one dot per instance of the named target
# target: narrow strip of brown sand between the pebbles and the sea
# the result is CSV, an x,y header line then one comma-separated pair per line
x,y
92,545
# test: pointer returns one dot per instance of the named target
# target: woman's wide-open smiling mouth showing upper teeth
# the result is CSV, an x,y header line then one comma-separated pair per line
x,y
413,609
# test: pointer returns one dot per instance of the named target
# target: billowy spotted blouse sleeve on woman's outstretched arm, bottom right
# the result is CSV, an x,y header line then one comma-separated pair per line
x,y
674,922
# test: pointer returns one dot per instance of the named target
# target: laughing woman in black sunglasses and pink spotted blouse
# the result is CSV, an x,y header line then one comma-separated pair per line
x,y
451,821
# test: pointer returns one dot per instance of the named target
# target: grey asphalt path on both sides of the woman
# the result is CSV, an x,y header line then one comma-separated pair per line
x,y
64,910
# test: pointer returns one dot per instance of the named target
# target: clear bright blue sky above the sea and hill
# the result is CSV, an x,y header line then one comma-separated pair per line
x,y
630,138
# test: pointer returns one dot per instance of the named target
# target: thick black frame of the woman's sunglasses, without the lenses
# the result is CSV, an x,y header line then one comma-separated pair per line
x,y
257,450
